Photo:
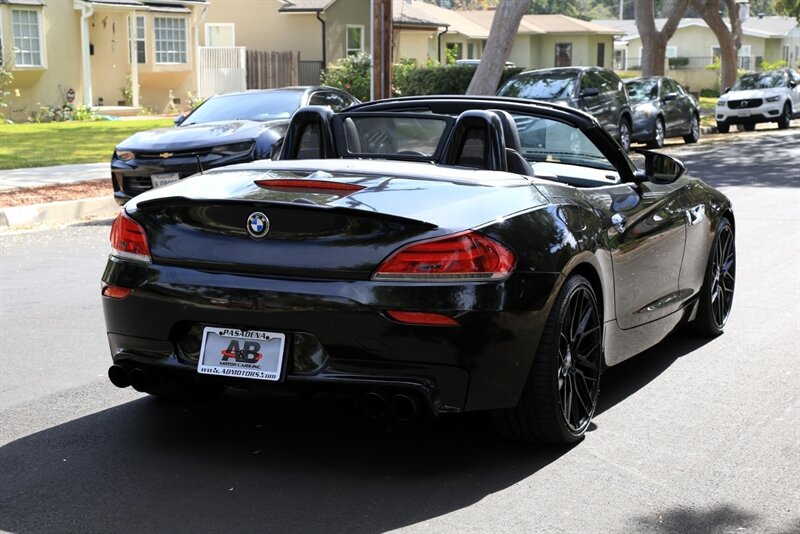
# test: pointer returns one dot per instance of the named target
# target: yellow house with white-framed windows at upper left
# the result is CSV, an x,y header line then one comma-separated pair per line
x,y
79,51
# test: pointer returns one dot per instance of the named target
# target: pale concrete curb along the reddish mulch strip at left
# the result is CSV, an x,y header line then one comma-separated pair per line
x,y
58,212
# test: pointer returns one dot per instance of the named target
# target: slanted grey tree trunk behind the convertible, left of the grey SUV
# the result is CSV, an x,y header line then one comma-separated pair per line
x,y
498,47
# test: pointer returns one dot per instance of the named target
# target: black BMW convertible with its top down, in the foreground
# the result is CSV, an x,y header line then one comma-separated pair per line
x,y
437,254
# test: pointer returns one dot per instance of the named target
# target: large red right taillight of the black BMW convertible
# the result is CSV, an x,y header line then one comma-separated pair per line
x,y
467,256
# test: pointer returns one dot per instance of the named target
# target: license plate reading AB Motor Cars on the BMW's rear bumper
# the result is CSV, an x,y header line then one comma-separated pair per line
x,y
242,353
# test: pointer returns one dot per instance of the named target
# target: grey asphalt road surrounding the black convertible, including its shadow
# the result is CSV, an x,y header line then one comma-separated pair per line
x,y
691,436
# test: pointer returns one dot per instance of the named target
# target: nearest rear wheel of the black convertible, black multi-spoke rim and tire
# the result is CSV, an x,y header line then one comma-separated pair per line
x,y
560,396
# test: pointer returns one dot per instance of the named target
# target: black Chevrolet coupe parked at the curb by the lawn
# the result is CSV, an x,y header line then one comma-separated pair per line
x,y
223,130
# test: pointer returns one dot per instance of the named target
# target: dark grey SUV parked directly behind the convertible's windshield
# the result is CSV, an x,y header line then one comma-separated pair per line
x,y
596,90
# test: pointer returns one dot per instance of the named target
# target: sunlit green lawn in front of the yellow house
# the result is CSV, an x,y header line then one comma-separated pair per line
x,y
60,143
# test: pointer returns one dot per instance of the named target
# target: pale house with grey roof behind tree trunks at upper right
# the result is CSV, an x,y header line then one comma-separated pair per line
x,y
694,46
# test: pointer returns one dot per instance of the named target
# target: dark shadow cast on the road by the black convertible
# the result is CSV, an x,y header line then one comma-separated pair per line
x,y
249,462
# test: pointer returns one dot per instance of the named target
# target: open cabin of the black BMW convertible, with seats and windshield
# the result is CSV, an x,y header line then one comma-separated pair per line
x,y
491,139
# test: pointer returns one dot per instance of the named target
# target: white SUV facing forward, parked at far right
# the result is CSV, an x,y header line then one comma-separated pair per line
x,y
772,96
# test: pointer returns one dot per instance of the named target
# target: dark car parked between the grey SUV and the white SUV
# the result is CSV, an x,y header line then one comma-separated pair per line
x,y
662,108
